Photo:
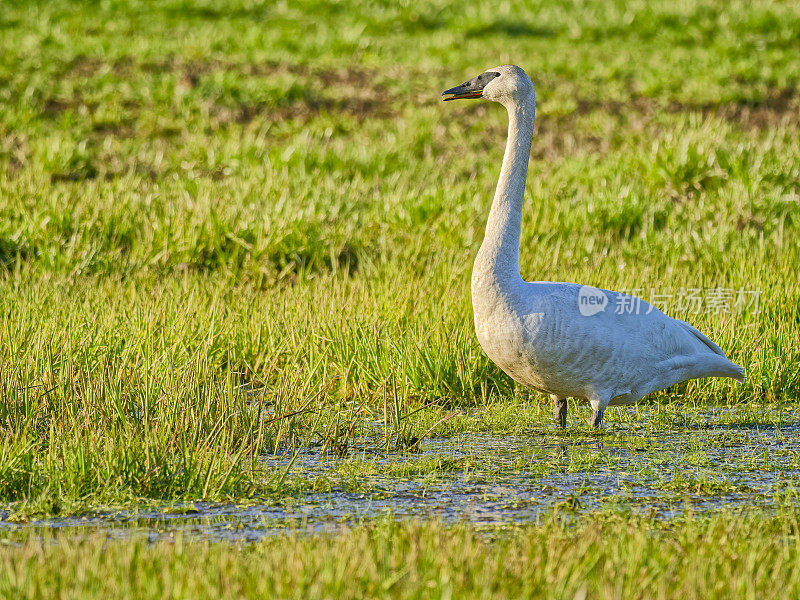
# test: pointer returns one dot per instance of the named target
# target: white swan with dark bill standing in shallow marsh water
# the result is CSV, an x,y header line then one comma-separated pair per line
x,y
562,338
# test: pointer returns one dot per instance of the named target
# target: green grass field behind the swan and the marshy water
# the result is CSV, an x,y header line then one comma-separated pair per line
x,y
222,238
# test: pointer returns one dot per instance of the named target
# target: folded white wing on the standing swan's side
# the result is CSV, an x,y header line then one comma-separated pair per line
x,y
619,350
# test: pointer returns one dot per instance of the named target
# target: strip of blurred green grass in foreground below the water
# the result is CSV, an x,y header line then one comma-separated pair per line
x,y
606,556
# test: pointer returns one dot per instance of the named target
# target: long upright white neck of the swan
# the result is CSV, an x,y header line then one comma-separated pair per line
x,y
498,258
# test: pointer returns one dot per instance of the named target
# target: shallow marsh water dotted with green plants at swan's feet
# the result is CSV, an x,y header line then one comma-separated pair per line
x,y
713,461
